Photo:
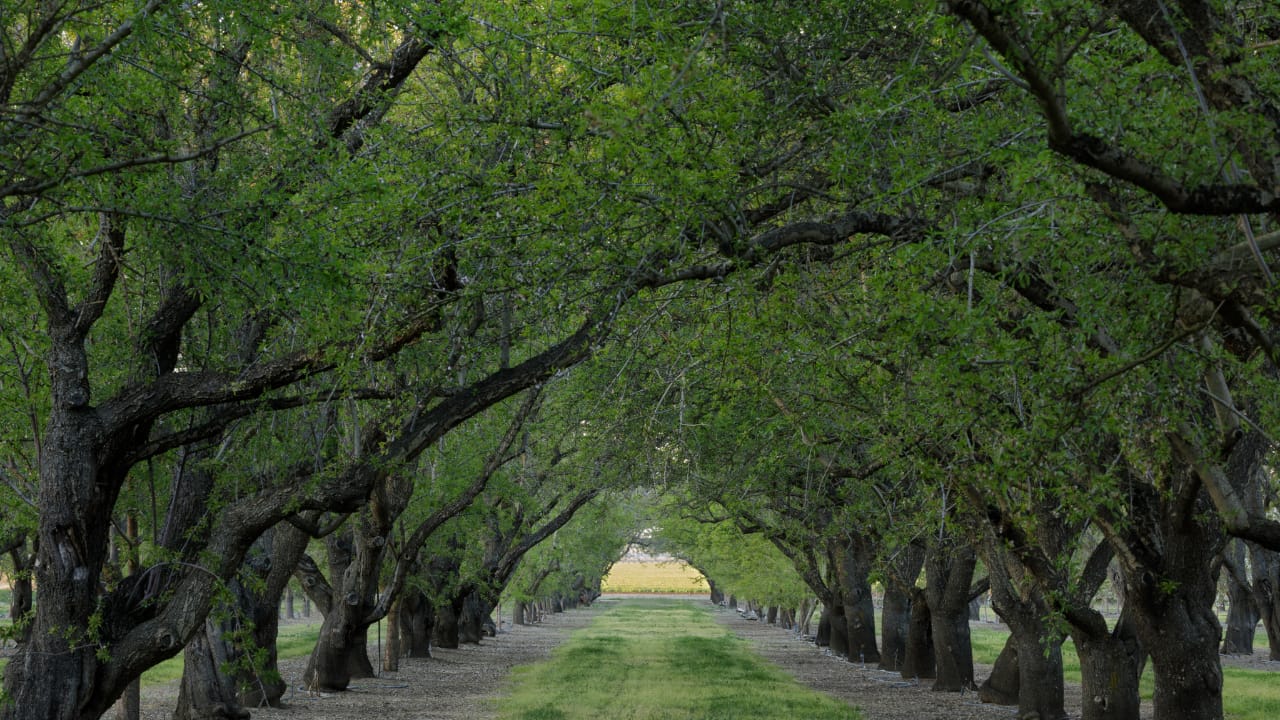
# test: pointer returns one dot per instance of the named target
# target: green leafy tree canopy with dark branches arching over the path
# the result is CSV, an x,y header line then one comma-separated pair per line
x,y
815,289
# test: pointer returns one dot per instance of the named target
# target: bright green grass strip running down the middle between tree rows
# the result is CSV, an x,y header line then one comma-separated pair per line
x,y
669,659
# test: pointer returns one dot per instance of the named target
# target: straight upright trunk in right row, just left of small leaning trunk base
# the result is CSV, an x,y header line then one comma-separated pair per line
x,y
949,573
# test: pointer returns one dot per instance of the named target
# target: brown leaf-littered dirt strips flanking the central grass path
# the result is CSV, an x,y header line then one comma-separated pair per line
x,y
463,685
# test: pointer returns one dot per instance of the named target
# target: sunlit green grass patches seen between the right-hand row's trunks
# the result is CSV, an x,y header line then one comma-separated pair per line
x,y
1247,695
